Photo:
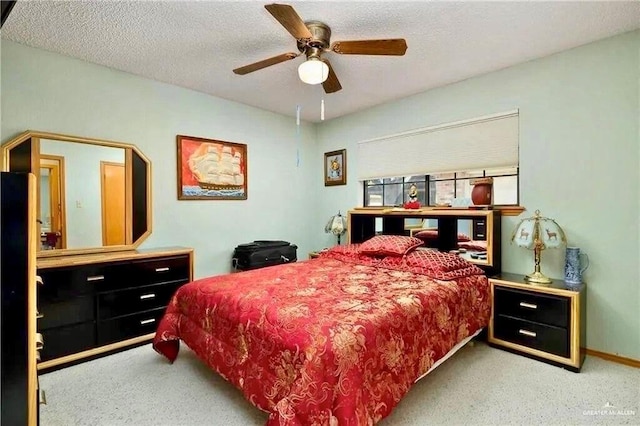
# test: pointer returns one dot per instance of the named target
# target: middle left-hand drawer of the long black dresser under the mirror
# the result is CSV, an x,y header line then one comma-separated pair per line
x,y
66,312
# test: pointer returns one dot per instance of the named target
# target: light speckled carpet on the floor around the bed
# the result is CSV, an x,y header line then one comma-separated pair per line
x,y
479,385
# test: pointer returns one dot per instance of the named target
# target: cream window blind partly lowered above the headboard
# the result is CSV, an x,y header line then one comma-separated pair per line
x,y
481,143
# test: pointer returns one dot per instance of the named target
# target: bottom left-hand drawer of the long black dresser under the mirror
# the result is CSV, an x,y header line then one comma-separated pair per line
x,y
62,341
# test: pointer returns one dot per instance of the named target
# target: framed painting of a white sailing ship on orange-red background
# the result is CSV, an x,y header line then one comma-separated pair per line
x,y
211,170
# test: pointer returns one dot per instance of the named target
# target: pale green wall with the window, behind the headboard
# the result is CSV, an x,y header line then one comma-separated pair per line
x,y
579,162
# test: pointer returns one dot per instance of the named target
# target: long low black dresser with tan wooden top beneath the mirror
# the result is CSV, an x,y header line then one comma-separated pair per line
x,y
97,303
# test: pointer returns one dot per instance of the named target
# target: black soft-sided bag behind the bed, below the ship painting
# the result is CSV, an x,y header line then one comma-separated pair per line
x,y
261,253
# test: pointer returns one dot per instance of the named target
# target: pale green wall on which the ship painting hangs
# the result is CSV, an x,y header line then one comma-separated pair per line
x,y
49,92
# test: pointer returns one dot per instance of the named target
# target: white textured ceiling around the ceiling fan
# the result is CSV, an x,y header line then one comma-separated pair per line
x,y
197,44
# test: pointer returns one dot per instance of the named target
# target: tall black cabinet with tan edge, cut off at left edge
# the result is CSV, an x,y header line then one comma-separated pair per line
x,y
18,299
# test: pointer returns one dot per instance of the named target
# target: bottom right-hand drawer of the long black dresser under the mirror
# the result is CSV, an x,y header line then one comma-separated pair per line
x,y
122,328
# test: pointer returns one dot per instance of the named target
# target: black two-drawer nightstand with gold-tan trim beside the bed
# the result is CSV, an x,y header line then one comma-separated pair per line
x,y
547,323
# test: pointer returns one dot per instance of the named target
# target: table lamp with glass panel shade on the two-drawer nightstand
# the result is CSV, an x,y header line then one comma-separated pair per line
x,y
538,233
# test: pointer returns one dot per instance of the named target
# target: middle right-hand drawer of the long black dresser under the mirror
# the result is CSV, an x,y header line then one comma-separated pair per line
x,y
124,302
